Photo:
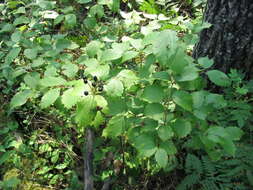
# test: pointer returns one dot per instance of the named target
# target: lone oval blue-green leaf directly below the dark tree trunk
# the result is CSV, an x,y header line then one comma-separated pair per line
x,y
219,78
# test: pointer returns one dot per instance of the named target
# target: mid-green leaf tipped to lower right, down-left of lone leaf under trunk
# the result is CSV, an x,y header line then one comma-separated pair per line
x,y
183,99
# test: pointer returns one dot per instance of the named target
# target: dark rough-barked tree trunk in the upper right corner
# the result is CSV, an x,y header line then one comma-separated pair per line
x,y
229,41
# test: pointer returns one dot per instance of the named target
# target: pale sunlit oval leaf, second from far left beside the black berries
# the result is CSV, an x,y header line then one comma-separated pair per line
x,y
50,97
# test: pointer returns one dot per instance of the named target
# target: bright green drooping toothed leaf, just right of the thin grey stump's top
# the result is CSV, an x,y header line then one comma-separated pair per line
x,y
115,127
